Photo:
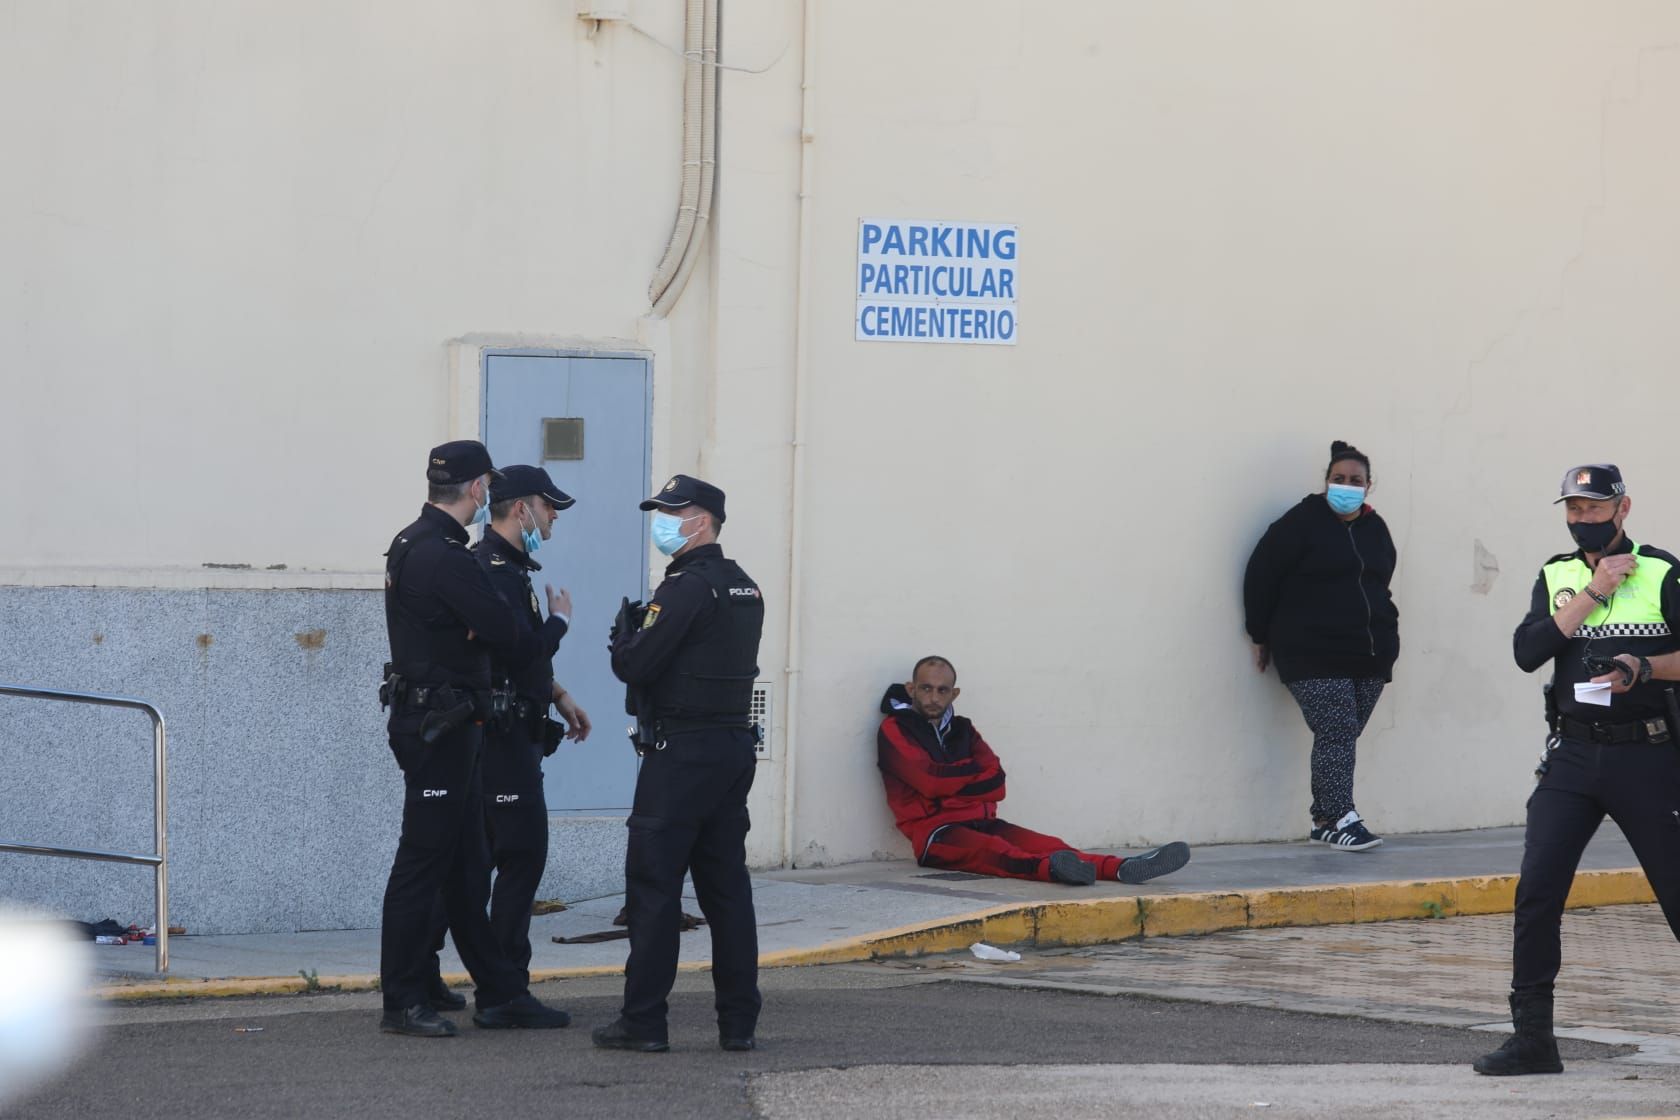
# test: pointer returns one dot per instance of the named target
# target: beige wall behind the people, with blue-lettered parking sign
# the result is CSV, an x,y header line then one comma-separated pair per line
x,y
244,238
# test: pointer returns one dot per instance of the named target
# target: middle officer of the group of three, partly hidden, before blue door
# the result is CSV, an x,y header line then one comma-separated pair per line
x,y
525,503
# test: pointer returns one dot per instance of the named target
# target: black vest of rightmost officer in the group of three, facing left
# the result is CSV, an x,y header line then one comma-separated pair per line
x,y
711,678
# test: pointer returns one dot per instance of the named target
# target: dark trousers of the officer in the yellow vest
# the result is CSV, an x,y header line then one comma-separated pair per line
x,y
1639,787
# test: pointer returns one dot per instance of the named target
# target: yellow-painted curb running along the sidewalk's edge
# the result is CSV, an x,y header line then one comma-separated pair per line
x,y
1051,924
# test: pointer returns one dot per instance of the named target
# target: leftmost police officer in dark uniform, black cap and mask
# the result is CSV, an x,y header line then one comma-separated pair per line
x,y
444,619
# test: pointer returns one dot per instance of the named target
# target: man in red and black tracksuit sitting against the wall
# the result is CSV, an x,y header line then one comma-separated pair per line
x,y
945,785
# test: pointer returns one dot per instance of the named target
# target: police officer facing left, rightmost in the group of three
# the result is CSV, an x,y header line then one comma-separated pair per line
x,y
690,661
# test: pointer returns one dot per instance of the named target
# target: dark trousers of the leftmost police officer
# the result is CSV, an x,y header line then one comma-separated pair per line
x,y
441,854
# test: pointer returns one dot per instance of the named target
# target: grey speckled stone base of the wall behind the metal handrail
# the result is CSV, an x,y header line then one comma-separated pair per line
x,y
285,800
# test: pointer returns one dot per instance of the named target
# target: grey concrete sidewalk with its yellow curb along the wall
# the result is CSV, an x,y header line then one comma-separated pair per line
x,y
866,911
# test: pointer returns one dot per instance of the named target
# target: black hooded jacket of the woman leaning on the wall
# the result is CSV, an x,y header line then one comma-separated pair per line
x,y
1316,594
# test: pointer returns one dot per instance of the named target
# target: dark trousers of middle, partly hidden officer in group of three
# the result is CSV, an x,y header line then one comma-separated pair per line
x,y
517,832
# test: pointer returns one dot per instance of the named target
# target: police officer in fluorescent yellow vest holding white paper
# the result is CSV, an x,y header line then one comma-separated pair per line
x,y
1614,746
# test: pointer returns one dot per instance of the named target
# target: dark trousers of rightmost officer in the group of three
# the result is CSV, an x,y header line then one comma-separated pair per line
x,y
690,815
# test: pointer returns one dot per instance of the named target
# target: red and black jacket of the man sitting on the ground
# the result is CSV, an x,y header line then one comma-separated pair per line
x,y
933,783
